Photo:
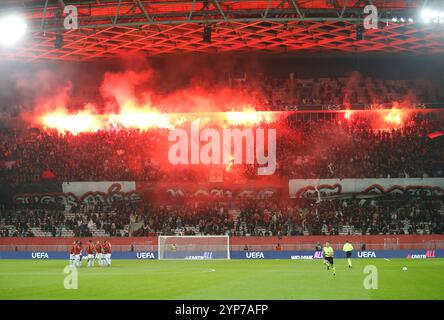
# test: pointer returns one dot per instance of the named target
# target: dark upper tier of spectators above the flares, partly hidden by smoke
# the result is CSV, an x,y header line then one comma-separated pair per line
x,y
291,92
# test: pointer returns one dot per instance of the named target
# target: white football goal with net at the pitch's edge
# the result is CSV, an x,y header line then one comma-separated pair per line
x,y
193,247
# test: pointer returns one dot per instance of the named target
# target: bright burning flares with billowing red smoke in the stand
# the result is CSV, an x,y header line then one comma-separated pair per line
x,y
136,98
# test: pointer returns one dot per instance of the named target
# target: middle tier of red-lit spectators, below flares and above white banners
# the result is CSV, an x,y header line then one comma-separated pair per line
x,y
314,148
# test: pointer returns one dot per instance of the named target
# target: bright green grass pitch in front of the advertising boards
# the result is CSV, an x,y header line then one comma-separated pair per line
x,y
228,279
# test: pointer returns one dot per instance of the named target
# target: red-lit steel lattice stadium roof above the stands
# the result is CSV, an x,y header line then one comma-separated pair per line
x,y
112,27
